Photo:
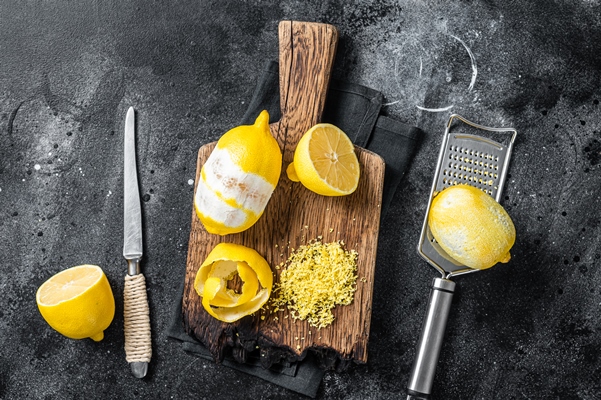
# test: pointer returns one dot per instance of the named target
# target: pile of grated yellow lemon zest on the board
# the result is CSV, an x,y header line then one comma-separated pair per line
x,y
317,277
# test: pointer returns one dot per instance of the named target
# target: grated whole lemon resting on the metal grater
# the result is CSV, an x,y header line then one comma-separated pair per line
x,y
471,226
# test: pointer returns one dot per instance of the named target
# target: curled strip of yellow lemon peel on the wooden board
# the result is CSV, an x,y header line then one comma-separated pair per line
x,y
225,262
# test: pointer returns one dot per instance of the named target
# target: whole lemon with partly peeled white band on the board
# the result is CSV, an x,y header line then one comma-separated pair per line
x,y
238,178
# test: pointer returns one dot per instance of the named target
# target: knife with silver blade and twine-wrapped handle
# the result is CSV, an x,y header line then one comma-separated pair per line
x,y
136,317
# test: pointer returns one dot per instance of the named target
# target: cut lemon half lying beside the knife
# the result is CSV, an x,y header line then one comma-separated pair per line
x,y
77,302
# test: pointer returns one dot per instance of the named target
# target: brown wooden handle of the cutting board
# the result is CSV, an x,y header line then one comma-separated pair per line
x,y
307,52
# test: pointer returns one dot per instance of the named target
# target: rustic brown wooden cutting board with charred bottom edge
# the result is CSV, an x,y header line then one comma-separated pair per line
x,y
293,217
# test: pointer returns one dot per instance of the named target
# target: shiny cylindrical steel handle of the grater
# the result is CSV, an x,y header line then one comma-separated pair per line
x,y
430,341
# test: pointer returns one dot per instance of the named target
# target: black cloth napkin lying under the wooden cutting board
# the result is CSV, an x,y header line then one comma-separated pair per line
x,y
356,110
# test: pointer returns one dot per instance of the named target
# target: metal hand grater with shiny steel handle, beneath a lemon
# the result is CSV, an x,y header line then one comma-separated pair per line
x,y
464,158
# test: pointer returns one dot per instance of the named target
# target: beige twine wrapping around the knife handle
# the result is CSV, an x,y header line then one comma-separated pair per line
x,y
136,320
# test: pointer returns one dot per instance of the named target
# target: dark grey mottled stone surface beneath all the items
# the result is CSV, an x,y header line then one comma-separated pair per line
x,y
69,70
